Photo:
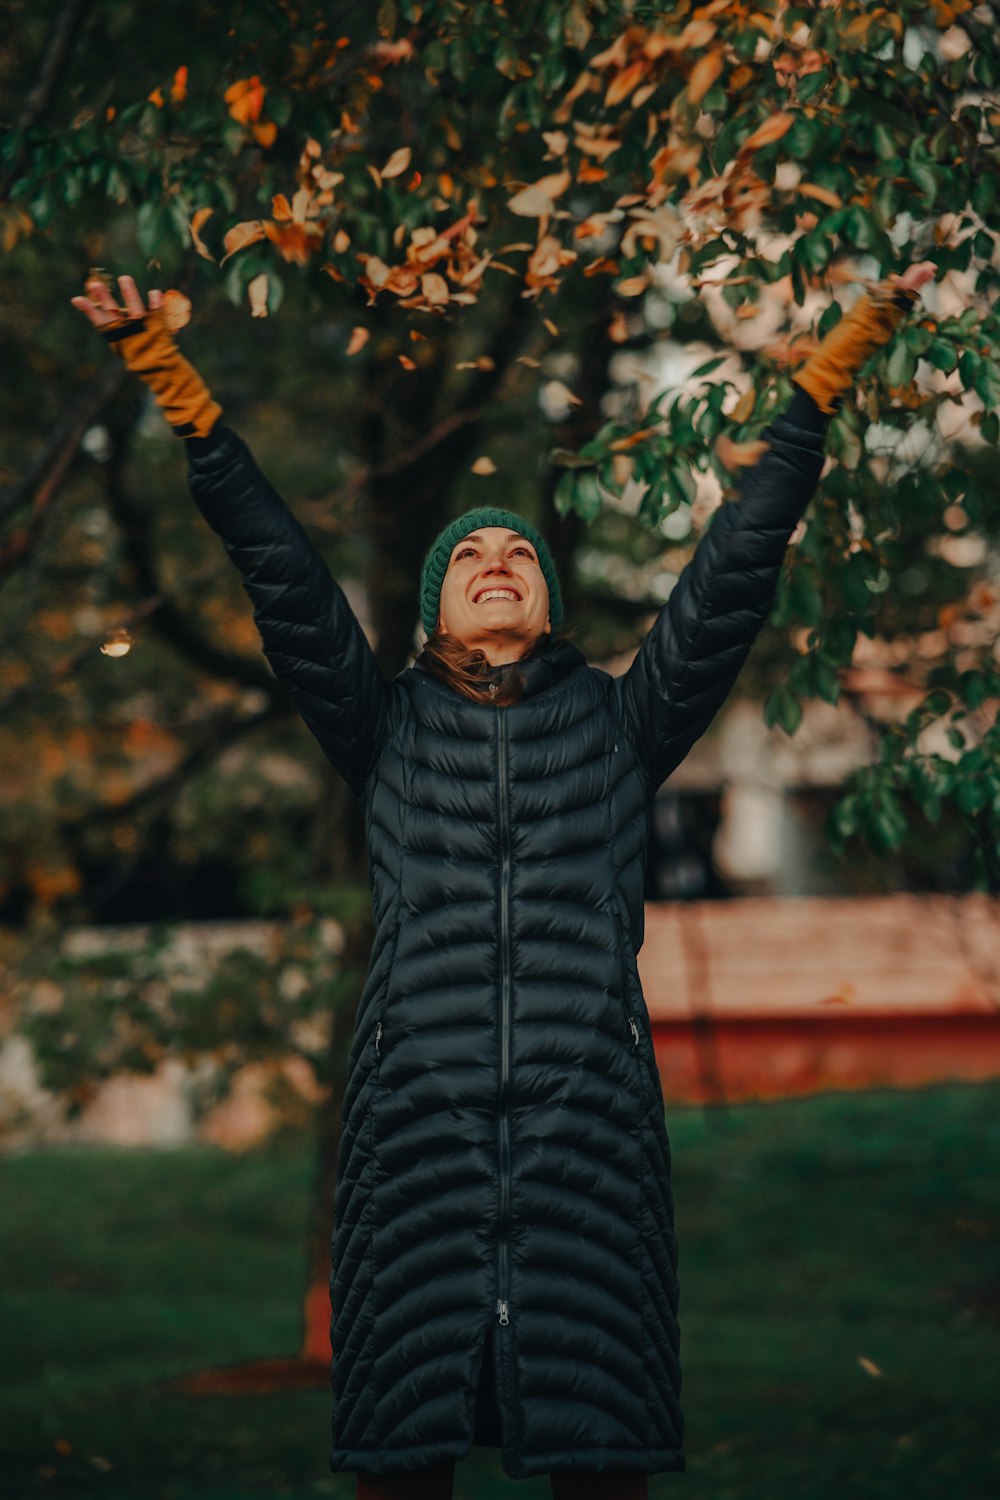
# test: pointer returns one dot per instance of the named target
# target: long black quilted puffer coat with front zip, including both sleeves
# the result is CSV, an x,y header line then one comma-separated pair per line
x,y
504,1207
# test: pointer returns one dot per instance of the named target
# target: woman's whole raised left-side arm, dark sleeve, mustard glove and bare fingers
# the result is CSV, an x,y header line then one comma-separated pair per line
x,y
308,629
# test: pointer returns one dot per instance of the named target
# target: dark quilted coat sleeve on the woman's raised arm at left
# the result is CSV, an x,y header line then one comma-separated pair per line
x,y
310,632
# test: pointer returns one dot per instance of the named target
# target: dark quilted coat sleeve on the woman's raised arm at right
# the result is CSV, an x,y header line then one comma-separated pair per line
x,y
702,637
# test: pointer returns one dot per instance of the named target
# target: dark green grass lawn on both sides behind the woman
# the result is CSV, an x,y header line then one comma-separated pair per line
x,y
840,1312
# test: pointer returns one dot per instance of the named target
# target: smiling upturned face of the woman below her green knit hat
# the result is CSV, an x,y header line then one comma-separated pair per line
x,y
494,595
